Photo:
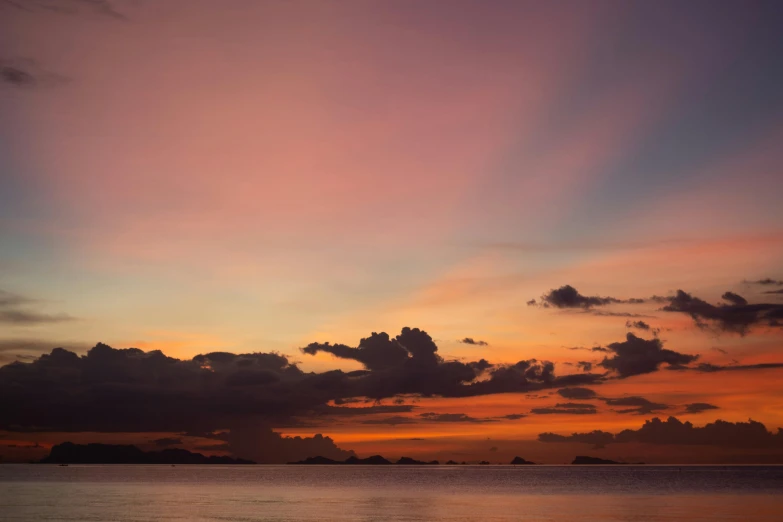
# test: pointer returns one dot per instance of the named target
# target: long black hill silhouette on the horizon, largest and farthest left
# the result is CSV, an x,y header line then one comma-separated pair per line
x,y
70,453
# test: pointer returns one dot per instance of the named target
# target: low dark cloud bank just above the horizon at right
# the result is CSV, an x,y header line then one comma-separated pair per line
x,y
749,434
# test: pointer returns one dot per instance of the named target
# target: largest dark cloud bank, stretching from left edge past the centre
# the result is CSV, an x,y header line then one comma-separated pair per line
x,y
129,390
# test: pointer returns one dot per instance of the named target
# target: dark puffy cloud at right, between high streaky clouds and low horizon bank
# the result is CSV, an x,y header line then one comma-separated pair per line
x,y
636,356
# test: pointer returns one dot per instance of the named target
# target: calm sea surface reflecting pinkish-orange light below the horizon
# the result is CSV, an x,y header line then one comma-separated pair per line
x,y
398,493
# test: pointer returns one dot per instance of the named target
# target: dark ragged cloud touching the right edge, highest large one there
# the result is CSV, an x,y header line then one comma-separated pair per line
x,y
737,317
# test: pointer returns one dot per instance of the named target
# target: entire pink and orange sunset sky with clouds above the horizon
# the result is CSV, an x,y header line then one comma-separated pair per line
x,y
521,227
